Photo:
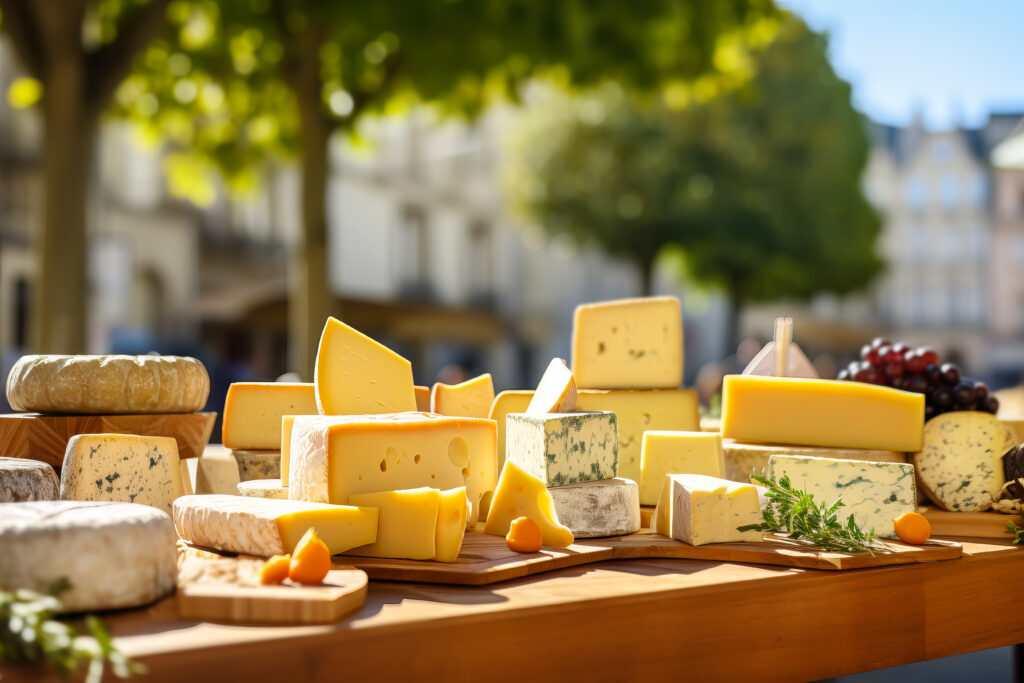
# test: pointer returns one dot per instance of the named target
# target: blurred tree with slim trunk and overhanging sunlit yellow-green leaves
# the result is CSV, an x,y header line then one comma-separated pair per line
x,y
240,81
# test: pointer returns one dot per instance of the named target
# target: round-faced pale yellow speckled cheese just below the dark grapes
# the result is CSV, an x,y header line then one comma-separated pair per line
x,y
960,466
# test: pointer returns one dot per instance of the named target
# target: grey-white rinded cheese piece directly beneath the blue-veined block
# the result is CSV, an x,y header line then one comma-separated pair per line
x,y
595,509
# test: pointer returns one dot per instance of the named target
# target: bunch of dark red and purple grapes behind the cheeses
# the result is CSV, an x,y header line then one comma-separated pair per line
x,y
919,370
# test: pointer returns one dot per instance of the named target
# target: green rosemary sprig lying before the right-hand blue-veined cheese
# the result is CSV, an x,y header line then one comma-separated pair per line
x,y
795,514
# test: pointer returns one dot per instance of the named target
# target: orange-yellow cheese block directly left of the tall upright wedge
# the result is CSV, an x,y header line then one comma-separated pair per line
x,y
253,412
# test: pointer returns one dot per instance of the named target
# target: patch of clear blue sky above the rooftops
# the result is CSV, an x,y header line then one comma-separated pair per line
x,y
956,60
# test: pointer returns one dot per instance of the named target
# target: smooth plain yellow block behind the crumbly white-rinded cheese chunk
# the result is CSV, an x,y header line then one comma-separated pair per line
x,y
677,453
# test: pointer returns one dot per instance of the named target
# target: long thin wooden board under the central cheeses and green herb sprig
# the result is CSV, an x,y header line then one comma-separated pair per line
x,y
486,559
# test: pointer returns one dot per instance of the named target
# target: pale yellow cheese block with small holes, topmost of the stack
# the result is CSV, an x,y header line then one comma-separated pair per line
x,y
629,345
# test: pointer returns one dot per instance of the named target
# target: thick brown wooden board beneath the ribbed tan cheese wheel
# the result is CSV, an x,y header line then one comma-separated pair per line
x,y
46,437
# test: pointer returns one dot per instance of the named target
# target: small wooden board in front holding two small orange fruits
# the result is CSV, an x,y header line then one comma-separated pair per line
x,y
216,587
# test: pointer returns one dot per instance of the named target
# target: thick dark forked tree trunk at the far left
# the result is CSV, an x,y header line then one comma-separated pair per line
x,y
75,54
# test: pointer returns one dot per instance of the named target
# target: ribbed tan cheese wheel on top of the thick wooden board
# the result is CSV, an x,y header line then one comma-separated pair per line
x,y
108,385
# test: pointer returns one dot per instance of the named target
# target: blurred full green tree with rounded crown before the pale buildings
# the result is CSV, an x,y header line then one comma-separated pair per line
x,y
756,188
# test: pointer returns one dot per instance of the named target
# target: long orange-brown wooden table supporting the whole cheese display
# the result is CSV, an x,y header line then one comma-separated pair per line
x,y
619,621
